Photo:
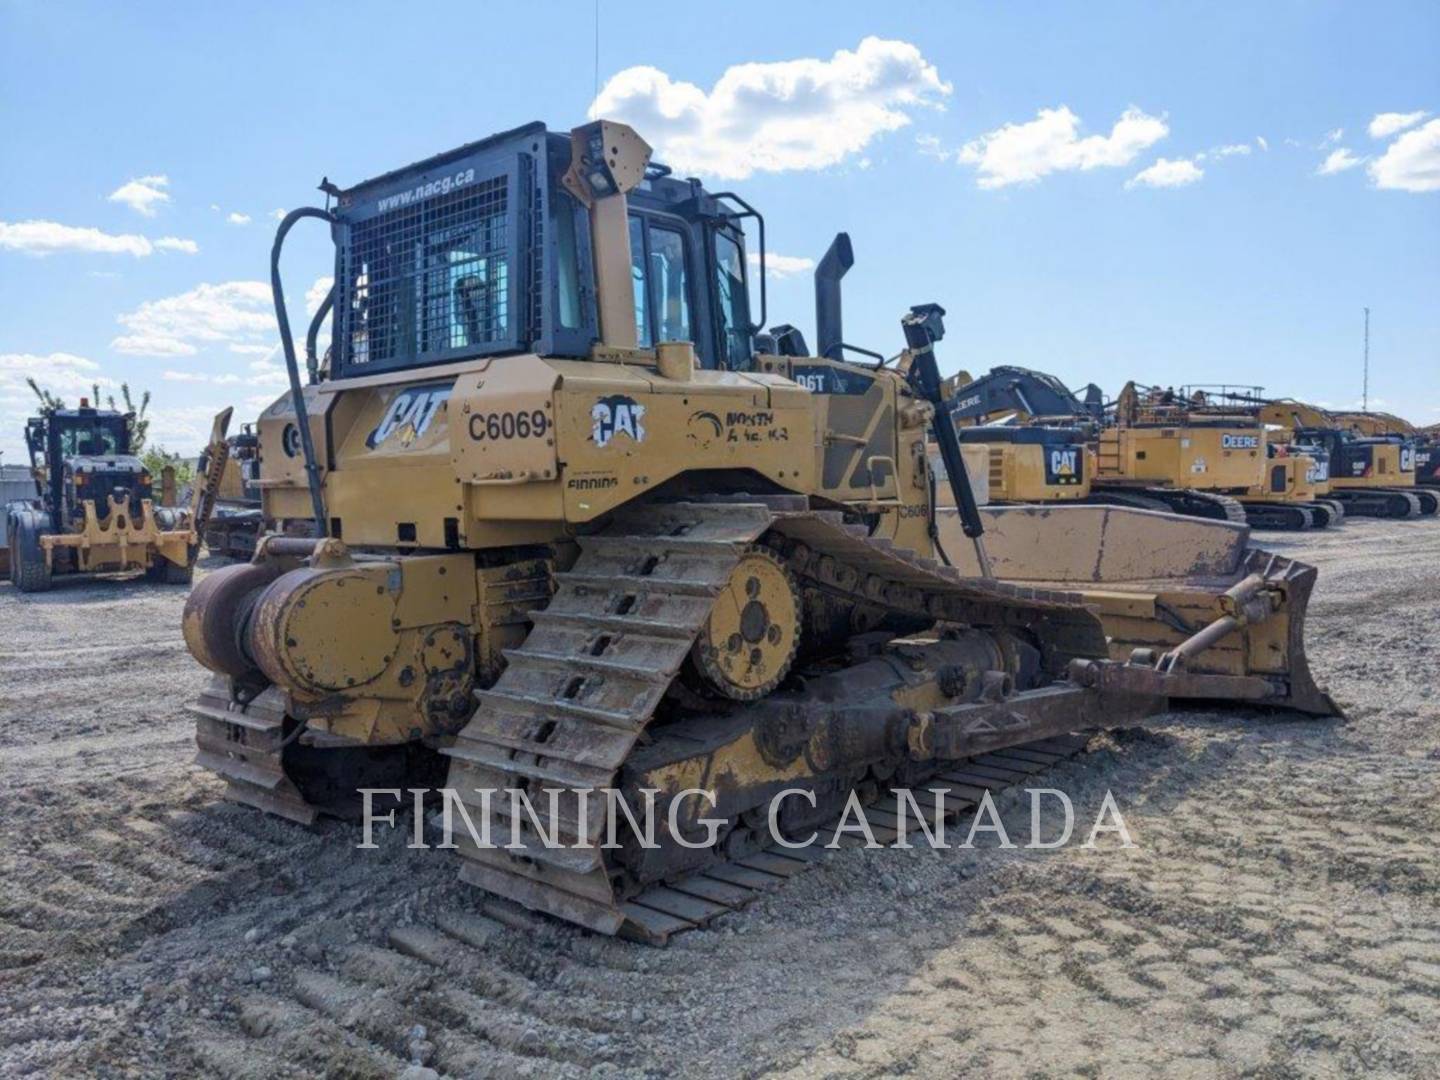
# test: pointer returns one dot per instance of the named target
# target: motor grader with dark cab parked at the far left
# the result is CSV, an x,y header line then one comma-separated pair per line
x,y
94,506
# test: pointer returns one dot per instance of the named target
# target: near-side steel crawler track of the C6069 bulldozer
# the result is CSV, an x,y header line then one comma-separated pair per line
x,y
575,701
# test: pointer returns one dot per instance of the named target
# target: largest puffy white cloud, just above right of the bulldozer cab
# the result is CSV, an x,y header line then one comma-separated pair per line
x,y
780,116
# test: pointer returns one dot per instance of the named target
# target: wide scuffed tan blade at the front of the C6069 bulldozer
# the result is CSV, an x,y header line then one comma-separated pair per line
x,y
1157,581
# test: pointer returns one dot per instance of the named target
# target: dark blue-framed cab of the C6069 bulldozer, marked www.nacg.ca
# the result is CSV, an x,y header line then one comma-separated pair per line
x,y
487,251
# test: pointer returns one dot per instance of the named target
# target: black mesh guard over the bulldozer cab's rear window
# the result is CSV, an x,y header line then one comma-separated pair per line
x,y
430,279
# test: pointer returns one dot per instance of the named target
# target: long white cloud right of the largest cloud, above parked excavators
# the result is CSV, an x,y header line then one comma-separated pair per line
x,y
1052,143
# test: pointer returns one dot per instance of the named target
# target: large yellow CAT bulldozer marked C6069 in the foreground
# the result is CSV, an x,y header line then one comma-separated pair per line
x,y
581,526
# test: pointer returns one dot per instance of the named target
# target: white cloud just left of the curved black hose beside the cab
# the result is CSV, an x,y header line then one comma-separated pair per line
x,y
231,313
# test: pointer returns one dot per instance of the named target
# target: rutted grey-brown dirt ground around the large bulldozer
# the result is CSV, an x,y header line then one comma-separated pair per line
x,y
1279,915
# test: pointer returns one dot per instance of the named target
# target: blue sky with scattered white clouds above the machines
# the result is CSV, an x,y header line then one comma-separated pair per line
x,y
1164,192
